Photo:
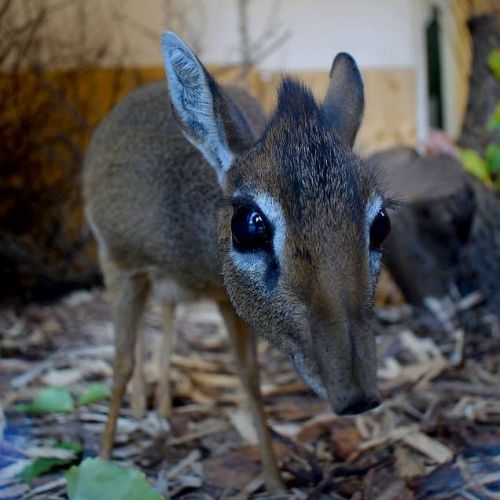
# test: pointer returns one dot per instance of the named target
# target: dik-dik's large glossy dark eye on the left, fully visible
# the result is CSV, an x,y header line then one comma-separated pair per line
x,y
249,229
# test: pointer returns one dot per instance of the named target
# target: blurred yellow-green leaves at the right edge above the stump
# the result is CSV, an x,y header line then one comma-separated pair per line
x,y
486,167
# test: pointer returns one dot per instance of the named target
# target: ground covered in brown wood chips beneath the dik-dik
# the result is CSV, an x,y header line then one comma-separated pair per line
x,y
437,434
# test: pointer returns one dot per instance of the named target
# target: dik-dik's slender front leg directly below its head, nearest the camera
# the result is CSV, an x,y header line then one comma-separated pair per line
x,y
244,346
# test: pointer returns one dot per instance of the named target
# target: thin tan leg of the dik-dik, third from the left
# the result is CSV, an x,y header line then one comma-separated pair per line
x,y
163,395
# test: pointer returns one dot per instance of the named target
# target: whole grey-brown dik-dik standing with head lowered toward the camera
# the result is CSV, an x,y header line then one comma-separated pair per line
x,y
277,221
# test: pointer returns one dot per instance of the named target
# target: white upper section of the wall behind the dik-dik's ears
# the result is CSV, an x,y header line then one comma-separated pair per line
x,y
378,33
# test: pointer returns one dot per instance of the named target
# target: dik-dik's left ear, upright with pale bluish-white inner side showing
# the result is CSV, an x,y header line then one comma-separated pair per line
x,y
209,119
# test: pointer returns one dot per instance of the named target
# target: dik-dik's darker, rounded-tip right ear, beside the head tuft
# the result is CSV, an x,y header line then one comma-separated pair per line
x,y
344,102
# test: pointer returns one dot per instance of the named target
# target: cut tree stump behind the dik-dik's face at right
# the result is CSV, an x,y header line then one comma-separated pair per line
x,y
446,236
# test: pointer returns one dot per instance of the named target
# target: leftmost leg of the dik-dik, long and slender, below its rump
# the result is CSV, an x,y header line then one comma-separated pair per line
x,y
131,295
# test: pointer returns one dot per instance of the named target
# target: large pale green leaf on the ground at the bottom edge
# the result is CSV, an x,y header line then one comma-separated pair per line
x,y
96,479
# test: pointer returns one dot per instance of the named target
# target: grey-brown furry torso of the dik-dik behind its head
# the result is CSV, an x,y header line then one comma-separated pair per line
x,y
151,198
